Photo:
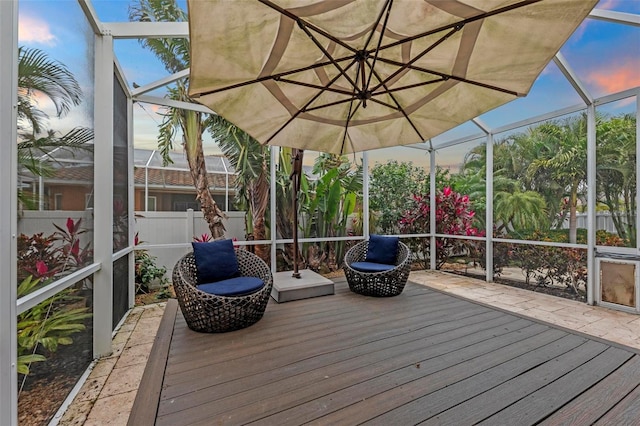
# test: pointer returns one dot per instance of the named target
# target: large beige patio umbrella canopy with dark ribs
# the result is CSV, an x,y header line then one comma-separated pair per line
x,y
343,76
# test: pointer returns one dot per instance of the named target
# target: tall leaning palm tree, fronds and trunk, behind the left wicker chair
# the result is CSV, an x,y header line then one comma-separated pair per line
x,y
174,54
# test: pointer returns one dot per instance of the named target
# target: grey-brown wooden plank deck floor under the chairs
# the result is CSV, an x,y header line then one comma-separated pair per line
x,y
423,357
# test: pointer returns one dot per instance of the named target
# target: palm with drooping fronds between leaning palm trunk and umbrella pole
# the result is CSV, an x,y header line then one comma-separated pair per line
x,y
251,160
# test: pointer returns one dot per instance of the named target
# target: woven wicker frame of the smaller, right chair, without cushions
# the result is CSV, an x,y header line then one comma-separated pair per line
x,y
379,284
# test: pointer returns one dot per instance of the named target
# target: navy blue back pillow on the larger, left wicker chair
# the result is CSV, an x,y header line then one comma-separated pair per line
x,y
215,261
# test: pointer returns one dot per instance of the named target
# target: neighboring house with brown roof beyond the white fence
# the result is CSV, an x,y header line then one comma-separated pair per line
x,y
167,188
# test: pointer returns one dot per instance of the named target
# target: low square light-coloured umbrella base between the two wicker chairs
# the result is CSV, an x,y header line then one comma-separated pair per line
x,y
310,284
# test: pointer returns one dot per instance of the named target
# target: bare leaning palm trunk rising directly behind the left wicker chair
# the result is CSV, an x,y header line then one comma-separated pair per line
x,y
212,213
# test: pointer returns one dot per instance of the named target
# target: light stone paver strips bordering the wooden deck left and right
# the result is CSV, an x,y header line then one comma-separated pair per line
x,y
107,396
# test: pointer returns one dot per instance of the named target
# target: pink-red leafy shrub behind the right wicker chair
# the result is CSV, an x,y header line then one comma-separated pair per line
x,y
454,216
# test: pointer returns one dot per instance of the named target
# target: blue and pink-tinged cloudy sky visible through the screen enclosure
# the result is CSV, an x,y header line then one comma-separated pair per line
x,y
605,56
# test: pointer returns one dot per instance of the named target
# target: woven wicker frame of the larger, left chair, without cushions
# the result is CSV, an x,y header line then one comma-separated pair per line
x,y
211,313
